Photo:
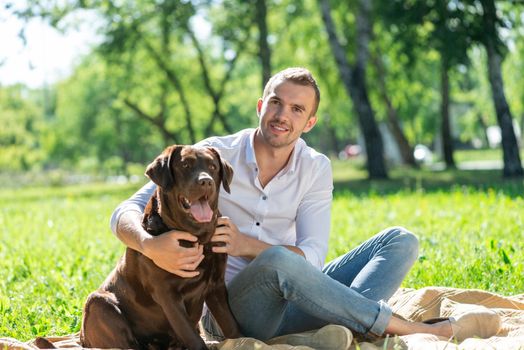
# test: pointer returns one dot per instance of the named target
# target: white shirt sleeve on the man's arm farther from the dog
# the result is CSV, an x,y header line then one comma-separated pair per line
x,y
313,222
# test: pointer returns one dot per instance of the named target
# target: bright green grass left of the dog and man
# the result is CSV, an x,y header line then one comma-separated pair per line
x,y
55,248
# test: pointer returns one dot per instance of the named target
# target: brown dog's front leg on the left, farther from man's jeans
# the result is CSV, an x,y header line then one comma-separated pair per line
x,y
176,314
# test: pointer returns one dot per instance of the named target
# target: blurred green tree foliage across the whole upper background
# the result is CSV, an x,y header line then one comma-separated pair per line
x,y
178,71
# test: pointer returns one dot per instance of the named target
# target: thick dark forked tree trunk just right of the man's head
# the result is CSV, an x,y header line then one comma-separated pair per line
x,y
354,80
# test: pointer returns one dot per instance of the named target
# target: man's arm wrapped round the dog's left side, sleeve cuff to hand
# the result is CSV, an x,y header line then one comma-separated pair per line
x,y
164,250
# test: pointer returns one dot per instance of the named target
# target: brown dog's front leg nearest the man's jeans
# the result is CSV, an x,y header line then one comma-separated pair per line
x,y
217,302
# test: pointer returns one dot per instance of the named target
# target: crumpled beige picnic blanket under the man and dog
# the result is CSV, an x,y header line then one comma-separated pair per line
x,y
411,304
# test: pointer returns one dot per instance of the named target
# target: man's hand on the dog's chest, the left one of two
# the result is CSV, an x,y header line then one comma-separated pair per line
x,y
167,253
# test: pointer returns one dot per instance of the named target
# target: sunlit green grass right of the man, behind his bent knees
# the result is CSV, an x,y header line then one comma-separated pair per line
x,y
469,239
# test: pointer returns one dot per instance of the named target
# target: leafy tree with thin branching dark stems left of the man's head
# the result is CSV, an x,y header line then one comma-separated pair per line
x,y
157,43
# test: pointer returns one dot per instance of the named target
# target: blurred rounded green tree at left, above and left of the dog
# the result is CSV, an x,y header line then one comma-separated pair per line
x,y
92,124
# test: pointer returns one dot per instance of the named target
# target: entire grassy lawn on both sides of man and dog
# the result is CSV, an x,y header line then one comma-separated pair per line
x,y
56,245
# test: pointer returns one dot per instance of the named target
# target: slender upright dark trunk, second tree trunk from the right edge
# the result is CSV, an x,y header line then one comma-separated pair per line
x,y
445,127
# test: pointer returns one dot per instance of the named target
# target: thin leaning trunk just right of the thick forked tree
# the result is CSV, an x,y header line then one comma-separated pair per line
x,y
406,151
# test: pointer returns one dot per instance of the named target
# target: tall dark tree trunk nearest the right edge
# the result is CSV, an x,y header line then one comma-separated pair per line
x,y
510,149
